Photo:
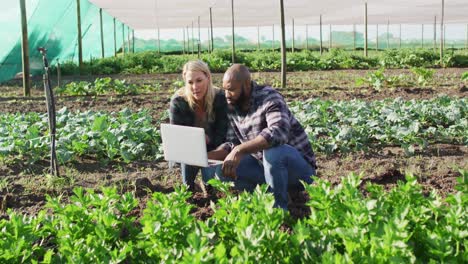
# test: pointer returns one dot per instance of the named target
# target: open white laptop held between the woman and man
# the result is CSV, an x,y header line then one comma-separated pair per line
x,y
186,144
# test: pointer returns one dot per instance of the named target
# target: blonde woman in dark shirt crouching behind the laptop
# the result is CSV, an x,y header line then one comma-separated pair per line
x,y
200,104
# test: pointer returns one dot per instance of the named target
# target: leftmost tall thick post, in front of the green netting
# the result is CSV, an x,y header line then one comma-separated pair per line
x,y
25,50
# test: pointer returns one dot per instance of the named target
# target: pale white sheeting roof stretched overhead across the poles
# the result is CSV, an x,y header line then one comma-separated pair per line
x,y
150,14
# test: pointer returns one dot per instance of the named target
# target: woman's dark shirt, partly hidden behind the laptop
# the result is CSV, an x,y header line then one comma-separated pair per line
x,y
180,113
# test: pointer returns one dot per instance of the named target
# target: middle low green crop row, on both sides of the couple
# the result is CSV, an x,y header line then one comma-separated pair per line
x,y
332,126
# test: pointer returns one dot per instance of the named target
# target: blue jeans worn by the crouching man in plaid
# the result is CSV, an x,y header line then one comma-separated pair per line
x,y
282,168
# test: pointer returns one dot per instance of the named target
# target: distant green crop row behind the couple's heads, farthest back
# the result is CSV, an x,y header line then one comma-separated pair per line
x,y
266,60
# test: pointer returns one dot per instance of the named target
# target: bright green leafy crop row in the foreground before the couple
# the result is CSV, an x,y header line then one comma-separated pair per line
x,y
401,225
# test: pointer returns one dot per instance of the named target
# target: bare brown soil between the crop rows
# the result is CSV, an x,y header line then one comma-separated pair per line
x,y
27,186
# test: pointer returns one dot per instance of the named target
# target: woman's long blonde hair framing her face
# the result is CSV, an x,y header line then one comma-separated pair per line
x,y
186,92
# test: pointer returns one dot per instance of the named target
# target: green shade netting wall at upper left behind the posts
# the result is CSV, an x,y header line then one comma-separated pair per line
x,y
53,24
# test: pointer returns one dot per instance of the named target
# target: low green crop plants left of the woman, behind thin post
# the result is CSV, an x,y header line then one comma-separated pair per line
x,y
122,136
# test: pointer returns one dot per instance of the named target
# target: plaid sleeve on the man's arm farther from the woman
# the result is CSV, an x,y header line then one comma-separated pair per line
x,y
277,118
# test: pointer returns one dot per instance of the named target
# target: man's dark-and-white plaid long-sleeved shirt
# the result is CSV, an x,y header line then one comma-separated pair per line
x,y
268,116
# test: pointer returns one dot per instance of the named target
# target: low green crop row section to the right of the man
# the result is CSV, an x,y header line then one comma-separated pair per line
x,y
359,125
